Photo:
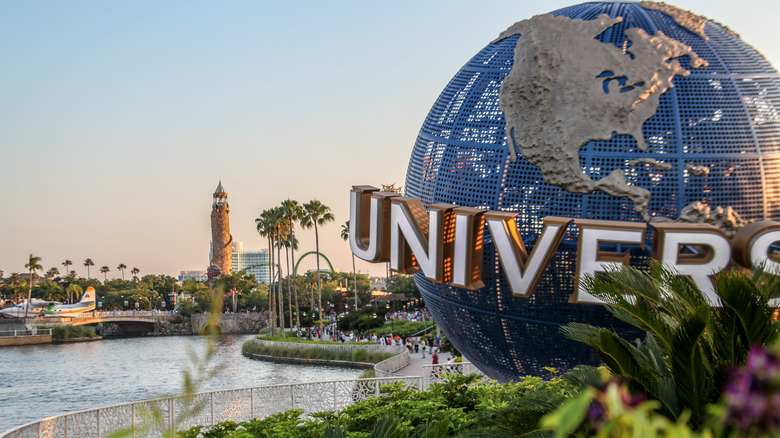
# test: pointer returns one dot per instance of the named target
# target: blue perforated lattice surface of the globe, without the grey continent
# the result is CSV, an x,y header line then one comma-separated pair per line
x,y
717,131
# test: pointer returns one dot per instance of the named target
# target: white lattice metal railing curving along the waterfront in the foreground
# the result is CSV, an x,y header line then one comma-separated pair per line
x,y
179,413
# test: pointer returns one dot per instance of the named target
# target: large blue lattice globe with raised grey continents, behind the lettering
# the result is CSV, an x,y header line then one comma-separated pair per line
x,y
605,111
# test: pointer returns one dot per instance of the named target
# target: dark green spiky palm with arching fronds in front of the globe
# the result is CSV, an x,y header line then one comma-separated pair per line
x,y
689,346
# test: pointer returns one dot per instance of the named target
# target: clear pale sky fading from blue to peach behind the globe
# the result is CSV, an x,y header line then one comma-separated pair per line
x,y
118,119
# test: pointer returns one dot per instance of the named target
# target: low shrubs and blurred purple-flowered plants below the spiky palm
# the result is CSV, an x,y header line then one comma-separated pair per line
x,y
583,403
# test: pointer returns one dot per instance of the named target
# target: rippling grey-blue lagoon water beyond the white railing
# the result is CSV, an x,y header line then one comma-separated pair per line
x,y
39,381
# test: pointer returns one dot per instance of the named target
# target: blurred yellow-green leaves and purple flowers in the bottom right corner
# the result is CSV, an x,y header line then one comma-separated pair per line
x,y
750,407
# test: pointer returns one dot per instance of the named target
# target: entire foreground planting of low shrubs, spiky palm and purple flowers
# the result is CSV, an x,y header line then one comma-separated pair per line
x,y
696,371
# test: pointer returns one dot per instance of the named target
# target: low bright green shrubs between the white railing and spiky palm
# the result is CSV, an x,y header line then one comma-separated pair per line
x,y
458,407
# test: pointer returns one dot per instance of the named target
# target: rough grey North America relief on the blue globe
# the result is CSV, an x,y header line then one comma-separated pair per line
x,y
556,99
